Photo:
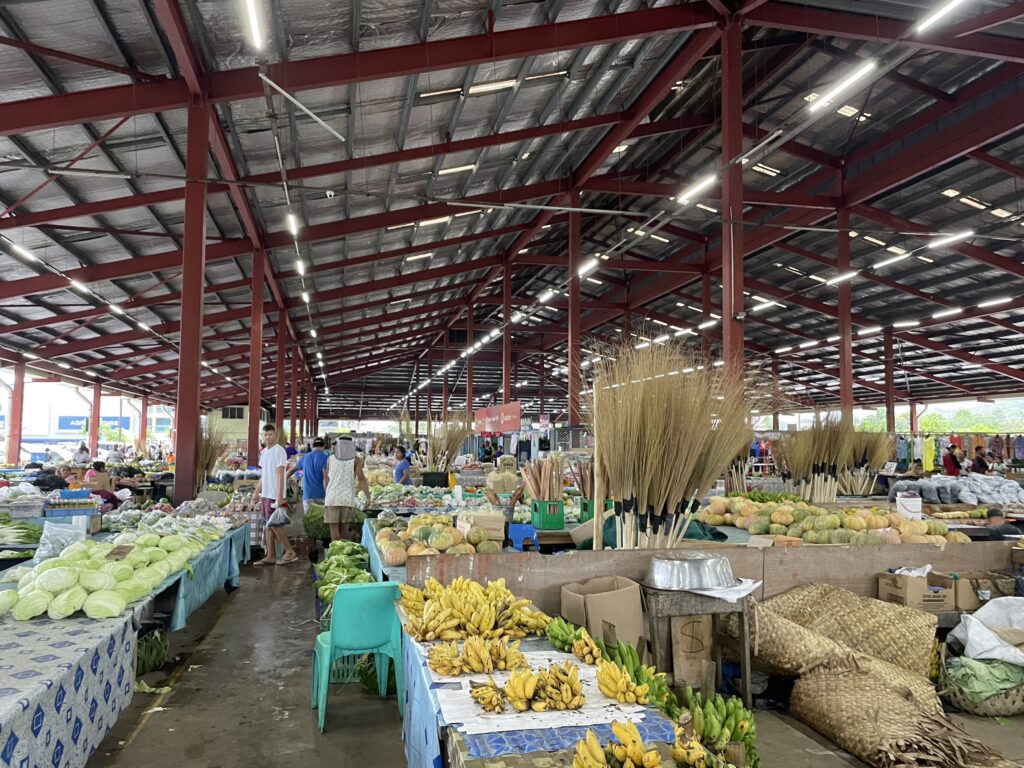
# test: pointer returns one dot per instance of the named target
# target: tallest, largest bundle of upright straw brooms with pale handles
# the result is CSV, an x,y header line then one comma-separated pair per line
x,y
667,425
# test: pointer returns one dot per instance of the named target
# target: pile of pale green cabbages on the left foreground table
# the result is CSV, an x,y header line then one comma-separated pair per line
x,y
82,578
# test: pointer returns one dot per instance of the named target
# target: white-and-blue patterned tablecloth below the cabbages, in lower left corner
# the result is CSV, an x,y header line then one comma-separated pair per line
x,y
63,686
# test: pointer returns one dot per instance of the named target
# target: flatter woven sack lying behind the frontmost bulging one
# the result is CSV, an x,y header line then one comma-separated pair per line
x,y
894,633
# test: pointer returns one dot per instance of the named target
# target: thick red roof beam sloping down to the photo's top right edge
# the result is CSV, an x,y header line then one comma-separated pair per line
x,y
813,21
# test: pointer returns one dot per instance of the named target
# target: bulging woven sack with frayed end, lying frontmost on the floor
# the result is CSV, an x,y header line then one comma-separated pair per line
x,y
881,721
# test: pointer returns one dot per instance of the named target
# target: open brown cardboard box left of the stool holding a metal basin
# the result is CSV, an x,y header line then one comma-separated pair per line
x,y
607,607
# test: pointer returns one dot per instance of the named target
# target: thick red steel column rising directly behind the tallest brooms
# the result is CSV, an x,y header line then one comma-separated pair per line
x,y
733,197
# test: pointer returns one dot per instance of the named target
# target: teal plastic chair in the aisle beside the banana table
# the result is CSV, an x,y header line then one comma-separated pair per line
x,y
363,621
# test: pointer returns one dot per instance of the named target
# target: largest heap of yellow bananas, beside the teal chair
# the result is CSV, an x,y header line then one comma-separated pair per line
x,y
465,608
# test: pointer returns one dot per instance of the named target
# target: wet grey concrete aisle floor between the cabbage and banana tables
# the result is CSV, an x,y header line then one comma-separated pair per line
x,y
246,701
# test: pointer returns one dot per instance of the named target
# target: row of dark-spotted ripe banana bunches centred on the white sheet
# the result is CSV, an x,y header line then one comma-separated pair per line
x,y
556,689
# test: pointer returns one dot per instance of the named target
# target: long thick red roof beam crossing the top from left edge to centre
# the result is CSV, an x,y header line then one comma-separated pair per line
x,y
233,86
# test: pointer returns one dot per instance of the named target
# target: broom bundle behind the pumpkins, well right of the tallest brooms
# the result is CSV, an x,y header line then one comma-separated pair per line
x,y
813,458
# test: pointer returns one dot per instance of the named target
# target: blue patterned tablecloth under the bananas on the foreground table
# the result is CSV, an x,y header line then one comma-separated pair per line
x,y
422,716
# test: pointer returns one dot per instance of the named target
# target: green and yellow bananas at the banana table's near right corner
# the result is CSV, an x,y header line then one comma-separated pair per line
x,y
714,724
